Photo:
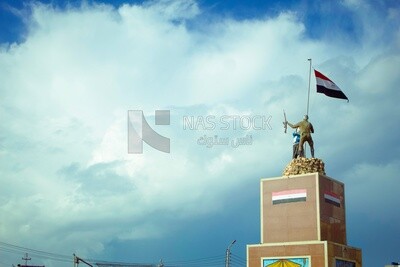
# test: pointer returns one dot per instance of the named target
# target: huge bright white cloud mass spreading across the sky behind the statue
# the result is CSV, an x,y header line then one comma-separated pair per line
x,y
66,89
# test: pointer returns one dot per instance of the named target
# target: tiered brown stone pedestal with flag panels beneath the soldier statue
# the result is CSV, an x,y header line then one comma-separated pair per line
x,y
303,223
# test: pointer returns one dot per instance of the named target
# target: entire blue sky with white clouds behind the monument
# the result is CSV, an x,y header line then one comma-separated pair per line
x,y
69,73
